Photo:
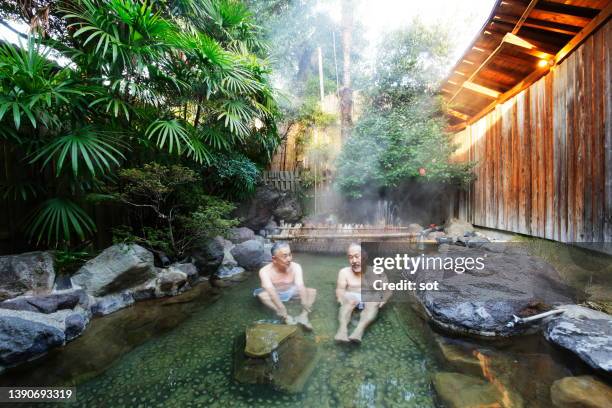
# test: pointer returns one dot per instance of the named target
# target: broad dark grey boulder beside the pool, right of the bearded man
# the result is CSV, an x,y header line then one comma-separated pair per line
x,y
482,302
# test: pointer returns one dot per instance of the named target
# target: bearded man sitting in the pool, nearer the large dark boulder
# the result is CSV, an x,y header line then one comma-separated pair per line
x,y
348,294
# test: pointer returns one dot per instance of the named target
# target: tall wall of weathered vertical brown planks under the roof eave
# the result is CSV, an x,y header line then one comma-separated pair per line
x,y
544,158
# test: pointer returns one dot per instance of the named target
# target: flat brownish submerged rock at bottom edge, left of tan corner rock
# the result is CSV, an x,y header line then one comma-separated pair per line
x,y
464,391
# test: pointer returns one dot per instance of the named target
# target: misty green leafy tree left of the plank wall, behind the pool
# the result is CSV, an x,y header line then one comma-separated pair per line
x,y
400,135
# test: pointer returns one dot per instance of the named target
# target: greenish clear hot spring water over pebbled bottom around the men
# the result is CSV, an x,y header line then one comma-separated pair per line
x,y
178,353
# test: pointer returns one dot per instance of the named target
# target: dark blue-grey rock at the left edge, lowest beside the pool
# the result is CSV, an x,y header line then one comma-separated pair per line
x,y
26,335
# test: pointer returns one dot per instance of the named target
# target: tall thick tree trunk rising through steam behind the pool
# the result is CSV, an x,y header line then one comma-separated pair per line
x,y
346,93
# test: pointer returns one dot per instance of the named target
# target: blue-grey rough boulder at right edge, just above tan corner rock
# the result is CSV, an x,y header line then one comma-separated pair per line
x,y
585,332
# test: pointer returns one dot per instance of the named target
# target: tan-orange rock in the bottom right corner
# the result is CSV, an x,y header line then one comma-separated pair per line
x,y
583,392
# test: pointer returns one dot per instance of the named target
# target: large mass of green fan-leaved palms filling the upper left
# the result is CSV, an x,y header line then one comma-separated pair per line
x,y
105,84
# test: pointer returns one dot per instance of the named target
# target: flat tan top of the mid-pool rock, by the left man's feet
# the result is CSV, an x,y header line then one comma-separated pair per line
x,y
263,338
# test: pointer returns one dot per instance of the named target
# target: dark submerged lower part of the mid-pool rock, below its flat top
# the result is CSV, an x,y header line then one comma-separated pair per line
x,y
287,368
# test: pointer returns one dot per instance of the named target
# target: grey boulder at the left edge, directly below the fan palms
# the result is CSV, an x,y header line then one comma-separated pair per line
x,y
29,273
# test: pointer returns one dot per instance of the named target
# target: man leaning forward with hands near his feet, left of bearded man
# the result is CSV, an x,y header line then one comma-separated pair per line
x,y
282,280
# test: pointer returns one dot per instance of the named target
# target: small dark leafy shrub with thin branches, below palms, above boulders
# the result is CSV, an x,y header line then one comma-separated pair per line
x,y
183,217
